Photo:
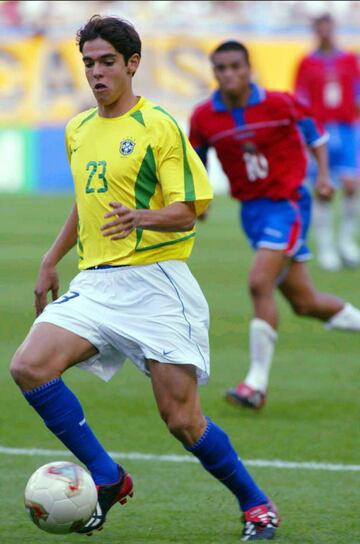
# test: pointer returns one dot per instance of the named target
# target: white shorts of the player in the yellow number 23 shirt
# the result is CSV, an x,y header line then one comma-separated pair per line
x,y
154,311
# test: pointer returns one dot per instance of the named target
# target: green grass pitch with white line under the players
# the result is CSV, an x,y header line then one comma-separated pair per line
x,y
312,413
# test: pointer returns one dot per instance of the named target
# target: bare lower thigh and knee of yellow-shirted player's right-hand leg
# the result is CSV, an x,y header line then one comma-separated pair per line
x,y
176,392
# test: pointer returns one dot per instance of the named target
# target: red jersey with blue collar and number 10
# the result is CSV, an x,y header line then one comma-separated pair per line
x,y
261,147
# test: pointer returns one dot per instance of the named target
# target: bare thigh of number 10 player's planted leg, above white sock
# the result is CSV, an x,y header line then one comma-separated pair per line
x,y
266,268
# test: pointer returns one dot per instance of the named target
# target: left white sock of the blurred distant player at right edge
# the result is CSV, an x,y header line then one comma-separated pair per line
x,y
323,226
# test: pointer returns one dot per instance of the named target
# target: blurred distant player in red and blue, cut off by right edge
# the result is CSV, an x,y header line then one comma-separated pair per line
x,y
328,80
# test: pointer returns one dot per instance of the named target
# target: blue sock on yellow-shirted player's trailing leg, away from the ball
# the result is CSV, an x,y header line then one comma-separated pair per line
x,y
217,455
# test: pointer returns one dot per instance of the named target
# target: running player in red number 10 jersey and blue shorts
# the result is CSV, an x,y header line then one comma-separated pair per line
x,y
259,139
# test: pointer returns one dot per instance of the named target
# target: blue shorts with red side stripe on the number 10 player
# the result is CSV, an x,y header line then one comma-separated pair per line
x,y
278,224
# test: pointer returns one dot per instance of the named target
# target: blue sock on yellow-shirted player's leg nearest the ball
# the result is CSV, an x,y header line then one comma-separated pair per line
x,y
64,416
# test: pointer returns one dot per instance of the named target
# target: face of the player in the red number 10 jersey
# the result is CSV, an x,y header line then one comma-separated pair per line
x,y
232,71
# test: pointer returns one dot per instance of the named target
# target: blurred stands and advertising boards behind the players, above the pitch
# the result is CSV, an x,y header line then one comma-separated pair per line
x,y
42,82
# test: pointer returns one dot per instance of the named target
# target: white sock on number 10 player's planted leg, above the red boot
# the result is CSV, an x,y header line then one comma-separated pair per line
x,y
262,343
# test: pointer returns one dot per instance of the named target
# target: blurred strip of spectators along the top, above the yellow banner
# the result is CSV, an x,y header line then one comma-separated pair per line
x,y
151,16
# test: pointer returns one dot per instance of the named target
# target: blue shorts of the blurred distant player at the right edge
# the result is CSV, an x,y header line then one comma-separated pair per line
x,y
342,146
